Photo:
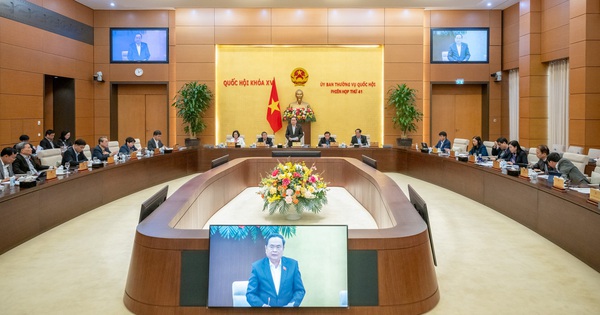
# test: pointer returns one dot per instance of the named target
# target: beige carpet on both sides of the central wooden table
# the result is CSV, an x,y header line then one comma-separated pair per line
x,y
487,263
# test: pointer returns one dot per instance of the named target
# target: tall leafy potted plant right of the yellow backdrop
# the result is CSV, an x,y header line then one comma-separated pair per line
x,y
403,99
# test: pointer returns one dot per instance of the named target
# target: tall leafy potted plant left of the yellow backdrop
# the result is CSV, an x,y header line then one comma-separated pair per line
x,y
191,102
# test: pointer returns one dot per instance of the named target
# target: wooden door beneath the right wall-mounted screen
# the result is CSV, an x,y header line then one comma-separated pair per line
x,y
456,109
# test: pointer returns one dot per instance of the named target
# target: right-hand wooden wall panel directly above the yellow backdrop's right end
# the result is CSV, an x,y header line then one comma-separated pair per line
x,y
367,35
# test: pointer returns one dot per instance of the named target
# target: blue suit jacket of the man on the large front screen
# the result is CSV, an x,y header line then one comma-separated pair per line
x,y
261,289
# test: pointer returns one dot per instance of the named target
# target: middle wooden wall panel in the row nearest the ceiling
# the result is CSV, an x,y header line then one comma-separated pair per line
x,y
298,17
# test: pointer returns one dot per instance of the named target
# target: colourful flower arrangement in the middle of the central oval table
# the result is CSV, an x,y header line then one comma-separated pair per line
x,y
291,185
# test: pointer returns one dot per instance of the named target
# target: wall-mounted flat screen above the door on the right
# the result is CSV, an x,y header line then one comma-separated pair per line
x,y
460,45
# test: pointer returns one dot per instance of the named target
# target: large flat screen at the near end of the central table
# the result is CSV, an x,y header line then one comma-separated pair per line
x,y
313,265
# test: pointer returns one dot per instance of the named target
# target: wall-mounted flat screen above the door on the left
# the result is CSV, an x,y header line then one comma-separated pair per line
x,y
139,45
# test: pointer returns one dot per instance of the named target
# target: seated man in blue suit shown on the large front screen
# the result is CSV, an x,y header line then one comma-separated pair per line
x,y
275,280
